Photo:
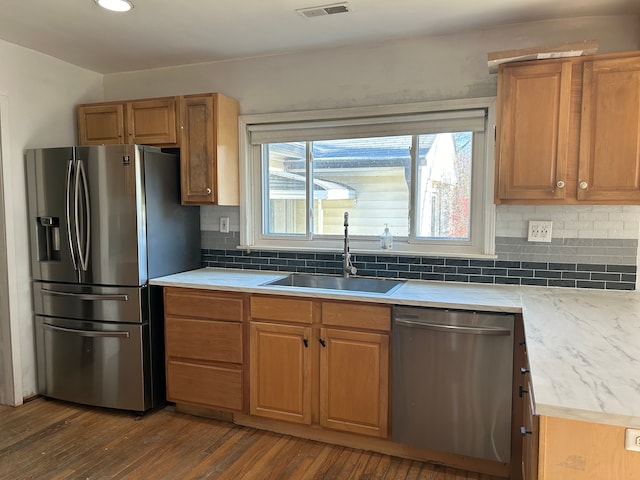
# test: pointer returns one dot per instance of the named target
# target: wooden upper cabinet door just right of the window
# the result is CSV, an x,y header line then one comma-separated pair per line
x,y
533,130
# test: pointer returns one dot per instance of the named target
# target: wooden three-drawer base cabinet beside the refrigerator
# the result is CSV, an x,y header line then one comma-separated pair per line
x,y
204,338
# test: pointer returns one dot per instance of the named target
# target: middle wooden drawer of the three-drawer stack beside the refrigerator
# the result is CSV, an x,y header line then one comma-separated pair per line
x,y
206,340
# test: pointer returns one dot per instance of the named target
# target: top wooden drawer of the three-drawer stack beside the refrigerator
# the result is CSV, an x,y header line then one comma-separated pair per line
x,y
202,303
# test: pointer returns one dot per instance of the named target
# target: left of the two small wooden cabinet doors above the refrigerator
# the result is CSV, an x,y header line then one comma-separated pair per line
x,y
101,124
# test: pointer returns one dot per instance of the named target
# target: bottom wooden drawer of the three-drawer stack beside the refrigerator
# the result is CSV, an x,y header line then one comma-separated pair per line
x,y
219,387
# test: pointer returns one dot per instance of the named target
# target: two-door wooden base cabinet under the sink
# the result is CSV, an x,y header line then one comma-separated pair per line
x,y
304,372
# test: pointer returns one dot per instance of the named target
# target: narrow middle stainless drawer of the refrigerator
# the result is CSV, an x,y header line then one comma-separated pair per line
x,y
84,302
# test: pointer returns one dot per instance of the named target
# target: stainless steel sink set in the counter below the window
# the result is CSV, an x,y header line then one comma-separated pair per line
x,y
368,285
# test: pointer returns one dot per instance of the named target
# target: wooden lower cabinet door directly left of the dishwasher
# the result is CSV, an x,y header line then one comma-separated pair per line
x,y
354,381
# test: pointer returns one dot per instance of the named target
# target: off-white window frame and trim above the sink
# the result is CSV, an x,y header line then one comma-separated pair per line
x,y
482,243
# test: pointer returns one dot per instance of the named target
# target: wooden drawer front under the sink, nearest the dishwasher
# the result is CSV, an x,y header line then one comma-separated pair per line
x,y
370,317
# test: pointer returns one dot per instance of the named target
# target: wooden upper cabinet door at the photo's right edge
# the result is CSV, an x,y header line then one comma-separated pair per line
x,y
609,168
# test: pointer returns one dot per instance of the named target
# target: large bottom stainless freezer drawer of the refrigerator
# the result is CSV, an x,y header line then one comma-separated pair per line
x,y
93,363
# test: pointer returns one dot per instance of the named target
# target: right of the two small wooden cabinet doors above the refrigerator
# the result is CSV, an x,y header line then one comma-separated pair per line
x,y
152,122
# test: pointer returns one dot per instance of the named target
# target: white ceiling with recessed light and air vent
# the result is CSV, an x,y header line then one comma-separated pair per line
x,y
160,33
